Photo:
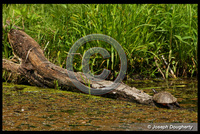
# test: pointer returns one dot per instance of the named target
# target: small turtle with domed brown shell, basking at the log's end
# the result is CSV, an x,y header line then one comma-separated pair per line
x,y
165,98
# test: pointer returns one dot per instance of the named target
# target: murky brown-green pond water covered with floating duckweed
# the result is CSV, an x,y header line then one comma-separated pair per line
x,y
32,108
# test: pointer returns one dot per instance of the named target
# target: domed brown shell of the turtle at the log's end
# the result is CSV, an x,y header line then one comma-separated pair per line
x,y
164,97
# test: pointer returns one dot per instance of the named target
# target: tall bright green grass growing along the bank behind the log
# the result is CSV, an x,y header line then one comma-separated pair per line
x,y
144,31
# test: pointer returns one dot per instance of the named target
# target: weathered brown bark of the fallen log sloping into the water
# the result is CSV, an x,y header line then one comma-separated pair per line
x,y
40,72
